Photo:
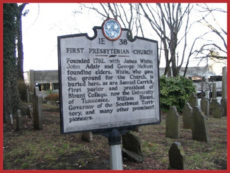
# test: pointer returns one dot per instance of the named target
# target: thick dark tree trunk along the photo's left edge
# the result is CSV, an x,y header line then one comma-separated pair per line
x,y
11,97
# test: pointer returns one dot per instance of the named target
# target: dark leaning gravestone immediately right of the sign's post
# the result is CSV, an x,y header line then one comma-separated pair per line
x,y
132,147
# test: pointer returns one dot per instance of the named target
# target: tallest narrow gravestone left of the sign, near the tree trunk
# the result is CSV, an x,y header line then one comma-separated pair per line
x,y
37,111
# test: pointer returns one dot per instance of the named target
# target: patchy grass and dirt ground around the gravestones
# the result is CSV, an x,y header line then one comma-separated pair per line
x,y
49,149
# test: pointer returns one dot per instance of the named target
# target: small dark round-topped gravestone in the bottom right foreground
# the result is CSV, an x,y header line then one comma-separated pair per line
x,y
176,156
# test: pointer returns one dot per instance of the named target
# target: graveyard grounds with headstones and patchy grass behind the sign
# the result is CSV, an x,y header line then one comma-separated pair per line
x,y
33,141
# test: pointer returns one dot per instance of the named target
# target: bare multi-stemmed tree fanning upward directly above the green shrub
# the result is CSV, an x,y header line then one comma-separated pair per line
x,y
166,21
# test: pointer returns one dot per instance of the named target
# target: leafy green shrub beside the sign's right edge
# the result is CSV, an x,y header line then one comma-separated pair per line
x,y
175,91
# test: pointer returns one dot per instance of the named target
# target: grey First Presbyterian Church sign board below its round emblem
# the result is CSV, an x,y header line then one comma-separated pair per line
x,y
107,83
